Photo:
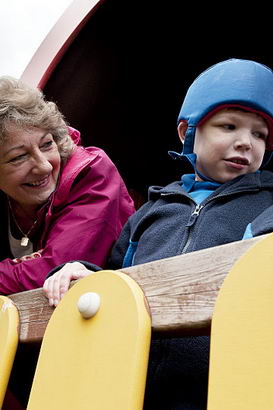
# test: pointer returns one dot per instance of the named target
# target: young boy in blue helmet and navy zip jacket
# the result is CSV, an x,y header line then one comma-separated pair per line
x,y
226,126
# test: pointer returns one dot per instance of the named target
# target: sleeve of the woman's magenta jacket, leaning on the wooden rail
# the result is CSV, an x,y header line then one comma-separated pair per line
x,y
84,228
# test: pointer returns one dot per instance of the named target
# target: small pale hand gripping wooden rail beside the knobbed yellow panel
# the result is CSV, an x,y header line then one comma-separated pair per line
x,y
58,284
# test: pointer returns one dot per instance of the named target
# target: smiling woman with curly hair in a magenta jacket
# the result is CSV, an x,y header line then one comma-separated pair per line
x,y
58,200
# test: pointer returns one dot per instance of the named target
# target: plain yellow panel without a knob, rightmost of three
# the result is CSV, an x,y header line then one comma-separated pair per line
x,y
241,364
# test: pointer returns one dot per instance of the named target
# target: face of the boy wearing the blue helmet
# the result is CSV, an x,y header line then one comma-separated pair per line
x,y
230,143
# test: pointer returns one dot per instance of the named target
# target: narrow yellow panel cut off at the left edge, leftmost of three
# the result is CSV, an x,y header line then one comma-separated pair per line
x,y
9,322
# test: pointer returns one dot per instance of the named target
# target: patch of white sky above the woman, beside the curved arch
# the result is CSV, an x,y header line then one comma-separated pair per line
x,y
23,26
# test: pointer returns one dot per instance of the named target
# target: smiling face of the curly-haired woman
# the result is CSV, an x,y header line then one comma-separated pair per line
x,y
29,167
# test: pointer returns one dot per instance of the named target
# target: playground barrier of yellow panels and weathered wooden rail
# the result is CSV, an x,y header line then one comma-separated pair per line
x,y
224,291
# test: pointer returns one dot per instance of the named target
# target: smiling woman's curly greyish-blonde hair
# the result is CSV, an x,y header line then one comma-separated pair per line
x,y
22,106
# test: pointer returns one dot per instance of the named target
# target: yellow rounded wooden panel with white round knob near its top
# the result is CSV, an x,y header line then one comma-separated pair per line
x,y
97,363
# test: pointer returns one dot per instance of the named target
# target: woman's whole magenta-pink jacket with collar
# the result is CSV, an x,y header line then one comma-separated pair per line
x,y
82,220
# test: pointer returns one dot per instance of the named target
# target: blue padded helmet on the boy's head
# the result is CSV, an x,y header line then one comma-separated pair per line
x,y
234,82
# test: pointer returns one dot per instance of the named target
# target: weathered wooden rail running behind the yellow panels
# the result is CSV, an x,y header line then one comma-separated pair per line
x,y
181,292
